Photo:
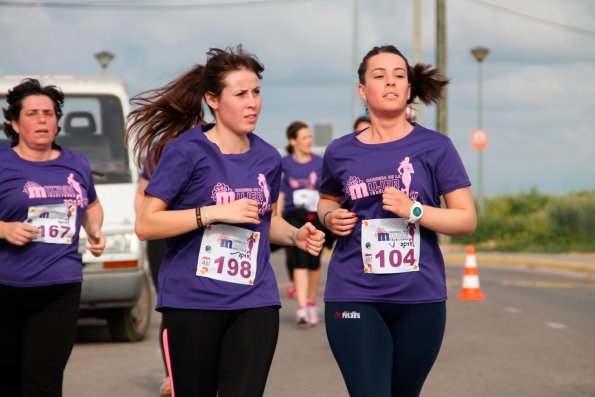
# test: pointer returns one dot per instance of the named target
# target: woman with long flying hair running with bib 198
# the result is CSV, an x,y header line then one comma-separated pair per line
x,y
213,196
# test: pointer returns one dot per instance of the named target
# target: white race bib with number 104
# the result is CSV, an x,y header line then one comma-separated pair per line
x,y
390,246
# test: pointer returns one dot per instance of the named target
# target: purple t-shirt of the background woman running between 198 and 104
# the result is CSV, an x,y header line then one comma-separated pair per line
x,y
299,176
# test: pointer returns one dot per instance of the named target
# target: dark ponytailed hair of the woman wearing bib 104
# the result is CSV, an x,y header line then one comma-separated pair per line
x,y
427,83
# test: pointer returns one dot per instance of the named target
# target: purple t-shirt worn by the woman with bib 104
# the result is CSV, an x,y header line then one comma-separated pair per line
x,y
424,165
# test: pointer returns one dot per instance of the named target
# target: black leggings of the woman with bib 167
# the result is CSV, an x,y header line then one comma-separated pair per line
x,y
38,331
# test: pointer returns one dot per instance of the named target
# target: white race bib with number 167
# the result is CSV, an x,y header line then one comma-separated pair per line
x,y
56,223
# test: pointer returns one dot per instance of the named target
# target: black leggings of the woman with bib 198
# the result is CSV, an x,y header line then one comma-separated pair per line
x,y
224,352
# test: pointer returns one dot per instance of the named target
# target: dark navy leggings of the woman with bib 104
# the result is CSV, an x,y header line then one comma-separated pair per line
x,y
385,349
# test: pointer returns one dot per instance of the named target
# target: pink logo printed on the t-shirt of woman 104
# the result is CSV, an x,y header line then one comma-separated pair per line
x,y
358,188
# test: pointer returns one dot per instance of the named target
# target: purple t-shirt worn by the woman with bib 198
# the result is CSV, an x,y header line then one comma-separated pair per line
x,y
192,172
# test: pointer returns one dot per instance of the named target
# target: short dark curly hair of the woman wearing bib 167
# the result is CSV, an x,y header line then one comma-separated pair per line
x,y
18,93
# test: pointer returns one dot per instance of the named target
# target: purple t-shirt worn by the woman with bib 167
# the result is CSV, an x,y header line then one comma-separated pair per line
x,y
29,185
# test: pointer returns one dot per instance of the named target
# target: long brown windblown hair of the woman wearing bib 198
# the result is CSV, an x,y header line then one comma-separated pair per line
x,y
165,113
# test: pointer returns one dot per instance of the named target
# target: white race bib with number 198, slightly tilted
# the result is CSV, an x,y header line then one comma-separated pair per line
x,y
228,253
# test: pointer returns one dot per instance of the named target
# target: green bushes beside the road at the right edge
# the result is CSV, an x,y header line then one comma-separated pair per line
x,y
536,222
